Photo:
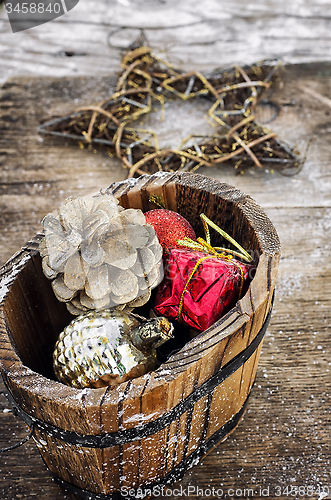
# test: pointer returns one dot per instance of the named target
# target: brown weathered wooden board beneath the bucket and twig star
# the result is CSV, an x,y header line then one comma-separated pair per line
x,y
283,438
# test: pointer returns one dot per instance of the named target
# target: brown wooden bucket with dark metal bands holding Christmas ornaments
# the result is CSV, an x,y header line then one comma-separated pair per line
x,y
148,431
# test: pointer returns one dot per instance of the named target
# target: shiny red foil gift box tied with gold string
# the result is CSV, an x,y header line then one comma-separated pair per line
x,y
198,288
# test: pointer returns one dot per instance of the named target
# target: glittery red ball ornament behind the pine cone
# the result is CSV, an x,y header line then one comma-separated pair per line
x,y
169,227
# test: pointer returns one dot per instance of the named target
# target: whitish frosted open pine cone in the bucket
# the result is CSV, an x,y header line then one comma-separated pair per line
x,y
100,255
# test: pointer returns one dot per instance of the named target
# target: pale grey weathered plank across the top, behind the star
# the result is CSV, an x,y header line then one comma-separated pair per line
x,y
196,34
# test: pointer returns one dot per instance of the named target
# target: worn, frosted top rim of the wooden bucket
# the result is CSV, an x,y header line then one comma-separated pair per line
x,y
235,319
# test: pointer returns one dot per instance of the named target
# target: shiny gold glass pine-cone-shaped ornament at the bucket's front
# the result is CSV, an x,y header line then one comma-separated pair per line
x,y
105,348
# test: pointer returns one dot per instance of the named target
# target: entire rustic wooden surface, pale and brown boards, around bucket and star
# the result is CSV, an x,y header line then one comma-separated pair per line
x,y
284,438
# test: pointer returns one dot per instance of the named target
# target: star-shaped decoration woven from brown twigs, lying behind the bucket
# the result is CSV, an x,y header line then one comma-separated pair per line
x,y
146,81
